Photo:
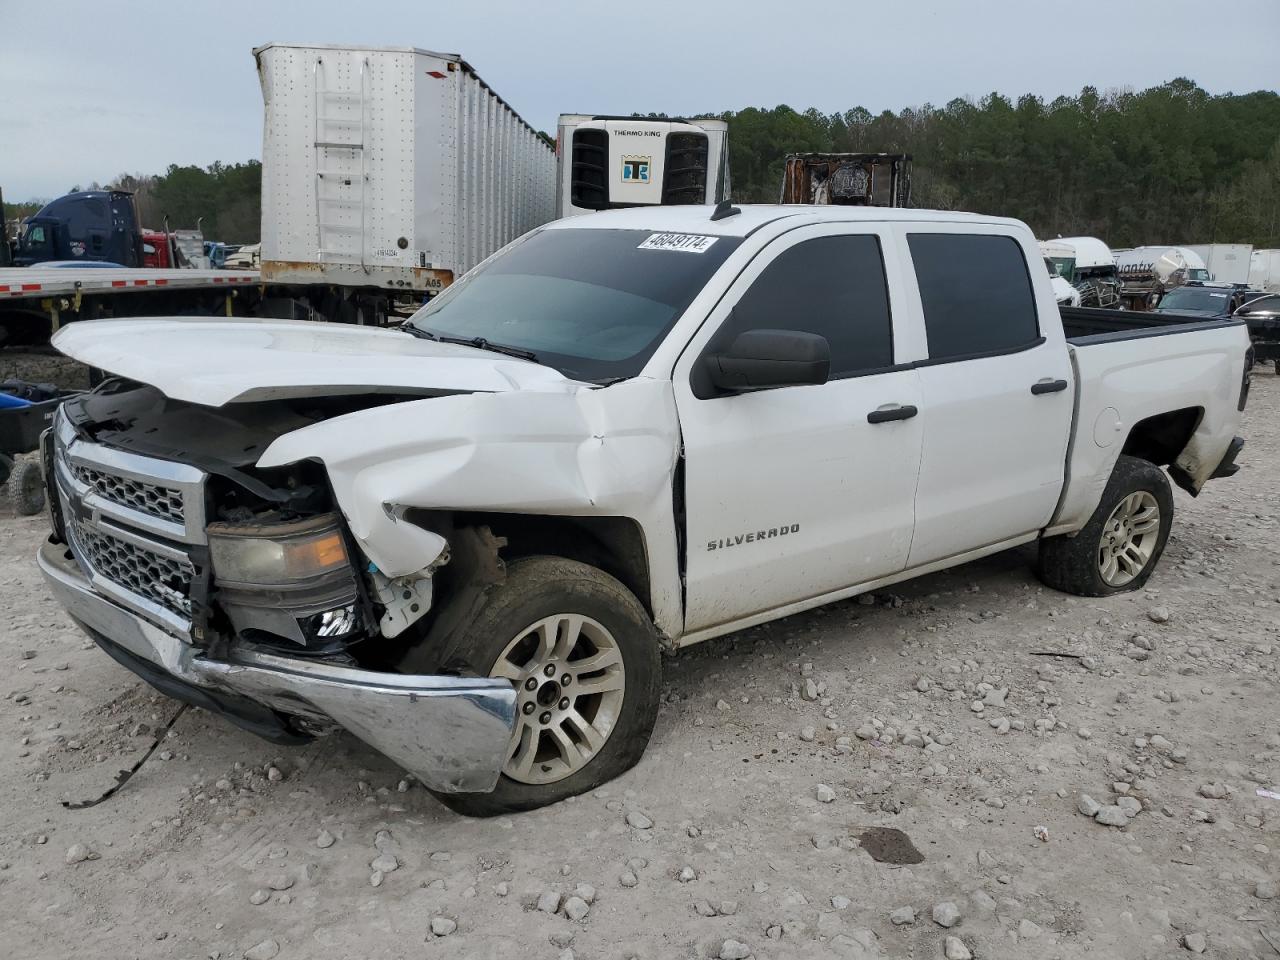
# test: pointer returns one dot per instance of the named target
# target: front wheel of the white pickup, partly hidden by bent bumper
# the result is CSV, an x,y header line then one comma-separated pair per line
x,y
583,656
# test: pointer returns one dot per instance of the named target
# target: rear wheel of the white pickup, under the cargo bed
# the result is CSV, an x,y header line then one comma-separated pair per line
x,y
1119,548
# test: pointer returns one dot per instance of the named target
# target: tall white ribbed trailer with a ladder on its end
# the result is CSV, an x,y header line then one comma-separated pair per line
x,y
388,172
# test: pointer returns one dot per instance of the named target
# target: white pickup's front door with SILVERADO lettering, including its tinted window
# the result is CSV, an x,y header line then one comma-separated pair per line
x,y
792,493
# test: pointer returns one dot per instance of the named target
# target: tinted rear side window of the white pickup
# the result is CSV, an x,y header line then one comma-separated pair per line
x,y
976,291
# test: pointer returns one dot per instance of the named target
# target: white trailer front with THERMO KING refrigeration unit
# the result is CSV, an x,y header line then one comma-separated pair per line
x,y
621,162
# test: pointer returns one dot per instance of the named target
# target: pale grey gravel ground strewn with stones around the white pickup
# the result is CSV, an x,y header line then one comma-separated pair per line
x,y
753,825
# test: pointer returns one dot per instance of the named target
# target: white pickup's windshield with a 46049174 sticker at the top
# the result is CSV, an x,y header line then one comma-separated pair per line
x,y
592,304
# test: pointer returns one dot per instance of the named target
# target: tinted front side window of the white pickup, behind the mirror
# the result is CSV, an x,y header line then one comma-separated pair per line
x,y
831,286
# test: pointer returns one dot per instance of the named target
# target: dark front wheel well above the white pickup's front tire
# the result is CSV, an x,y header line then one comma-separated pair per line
x,y
614,545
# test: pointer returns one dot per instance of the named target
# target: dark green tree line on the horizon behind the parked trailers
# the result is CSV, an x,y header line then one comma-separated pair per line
x,y
1171,164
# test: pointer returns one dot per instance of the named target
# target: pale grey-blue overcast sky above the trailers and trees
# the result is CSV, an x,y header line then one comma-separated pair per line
x,y
93,90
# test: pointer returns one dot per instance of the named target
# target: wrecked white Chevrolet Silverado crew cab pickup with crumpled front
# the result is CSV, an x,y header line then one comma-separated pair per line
x,y
468,541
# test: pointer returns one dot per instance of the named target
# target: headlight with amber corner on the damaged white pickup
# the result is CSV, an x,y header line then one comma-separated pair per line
x,y
258,555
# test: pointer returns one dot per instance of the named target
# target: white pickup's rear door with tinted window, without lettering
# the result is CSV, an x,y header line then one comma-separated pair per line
x,y
996,390
